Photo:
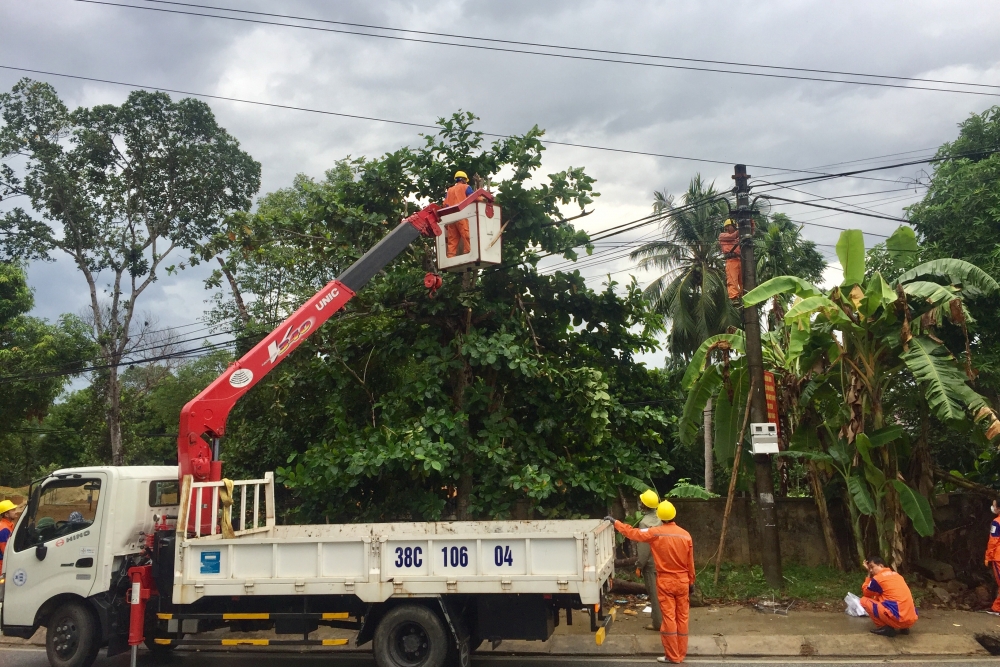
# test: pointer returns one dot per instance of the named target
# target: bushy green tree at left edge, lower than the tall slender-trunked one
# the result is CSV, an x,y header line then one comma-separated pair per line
x,y
30,350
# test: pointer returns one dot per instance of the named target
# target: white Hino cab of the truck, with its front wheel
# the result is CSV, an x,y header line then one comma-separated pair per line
x,y
73,544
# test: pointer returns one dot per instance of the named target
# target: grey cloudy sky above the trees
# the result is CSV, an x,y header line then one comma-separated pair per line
x,y
776,123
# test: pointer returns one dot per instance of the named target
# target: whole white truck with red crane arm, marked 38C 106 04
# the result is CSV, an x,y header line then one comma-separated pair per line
x,y
118,556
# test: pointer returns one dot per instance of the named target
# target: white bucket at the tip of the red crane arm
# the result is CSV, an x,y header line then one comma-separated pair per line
x,y
470,234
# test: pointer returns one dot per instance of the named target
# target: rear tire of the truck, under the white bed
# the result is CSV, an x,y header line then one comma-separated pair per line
x,y
410,635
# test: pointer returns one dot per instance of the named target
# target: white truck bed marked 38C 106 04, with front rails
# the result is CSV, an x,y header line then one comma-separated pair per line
x,y
376,561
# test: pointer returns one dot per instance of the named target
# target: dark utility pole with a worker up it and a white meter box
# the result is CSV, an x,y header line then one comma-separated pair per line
x,y
764,481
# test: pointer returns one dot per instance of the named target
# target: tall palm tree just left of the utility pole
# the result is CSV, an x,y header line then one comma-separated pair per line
x,y
692,290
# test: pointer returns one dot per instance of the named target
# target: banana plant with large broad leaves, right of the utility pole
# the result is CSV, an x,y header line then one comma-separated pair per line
x,y
875,334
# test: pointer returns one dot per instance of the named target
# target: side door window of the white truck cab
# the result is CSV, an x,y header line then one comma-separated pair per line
x,y
57,509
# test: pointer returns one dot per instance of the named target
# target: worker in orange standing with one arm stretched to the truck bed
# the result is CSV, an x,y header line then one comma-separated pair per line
x,y
673,554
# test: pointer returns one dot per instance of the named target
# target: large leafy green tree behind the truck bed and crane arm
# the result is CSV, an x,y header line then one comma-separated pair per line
x,y
509,393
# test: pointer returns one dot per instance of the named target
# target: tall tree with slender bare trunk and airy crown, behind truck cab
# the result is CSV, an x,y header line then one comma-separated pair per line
x,y
121,190
